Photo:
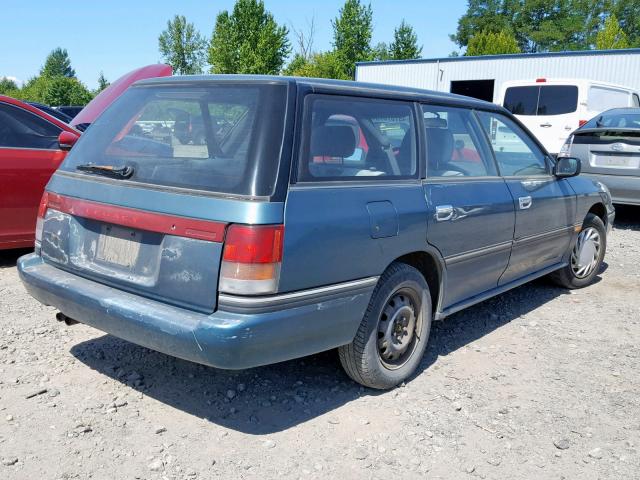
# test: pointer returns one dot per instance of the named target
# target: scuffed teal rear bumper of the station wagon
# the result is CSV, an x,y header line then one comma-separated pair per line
x,y
254,333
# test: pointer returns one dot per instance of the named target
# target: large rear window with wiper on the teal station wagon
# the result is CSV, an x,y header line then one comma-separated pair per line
x,y
221,138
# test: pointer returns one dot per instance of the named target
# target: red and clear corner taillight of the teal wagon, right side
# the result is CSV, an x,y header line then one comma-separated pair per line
x,y
251,259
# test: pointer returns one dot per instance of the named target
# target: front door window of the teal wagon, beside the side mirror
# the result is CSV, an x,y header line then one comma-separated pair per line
x,y
515,151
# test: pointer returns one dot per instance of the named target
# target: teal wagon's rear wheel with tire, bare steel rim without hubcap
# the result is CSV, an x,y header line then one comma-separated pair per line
x,y
401,300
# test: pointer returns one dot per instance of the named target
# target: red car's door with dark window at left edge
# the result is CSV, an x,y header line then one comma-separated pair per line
x,y
29,155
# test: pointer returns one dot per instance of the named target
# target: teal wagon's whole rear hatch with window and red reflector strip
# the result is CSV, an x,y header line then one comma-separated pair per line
x,y
158,229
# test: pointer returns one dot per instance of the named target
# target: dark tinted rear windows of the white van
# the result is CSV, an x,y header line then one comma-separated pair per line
x,y
541,100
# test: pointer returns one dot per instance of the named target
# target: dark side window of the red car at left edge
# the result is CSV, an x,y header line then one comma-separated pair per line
x,y
22,129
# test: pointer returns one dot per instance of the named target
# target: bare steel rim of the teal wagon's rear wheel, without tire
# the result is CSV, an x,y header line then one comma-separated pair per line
x,y
399,328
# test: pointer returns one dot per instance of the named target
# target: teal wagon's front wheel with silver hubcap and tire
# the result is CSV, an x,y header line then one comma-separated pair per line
x,y
580,272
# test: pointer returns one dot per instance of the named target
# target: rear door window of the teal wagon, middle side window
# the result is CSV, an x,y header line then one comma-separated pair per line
x,y
453,146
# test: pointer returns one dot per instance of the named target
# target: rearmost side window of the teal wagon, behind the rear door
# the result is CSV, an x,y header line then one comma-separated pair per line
x,y
348,138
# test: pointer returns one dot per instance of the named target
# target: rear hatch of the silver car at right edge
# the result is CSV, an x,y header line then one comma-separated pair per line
x,y
609,152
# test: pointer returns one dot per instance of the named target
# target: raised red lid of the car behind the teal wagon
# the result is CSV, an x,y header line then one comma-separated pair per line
x,y
105,98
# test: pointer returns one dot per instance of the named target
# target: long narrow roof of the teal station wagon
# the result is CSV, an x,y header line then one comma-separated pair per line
x,y
322,85
